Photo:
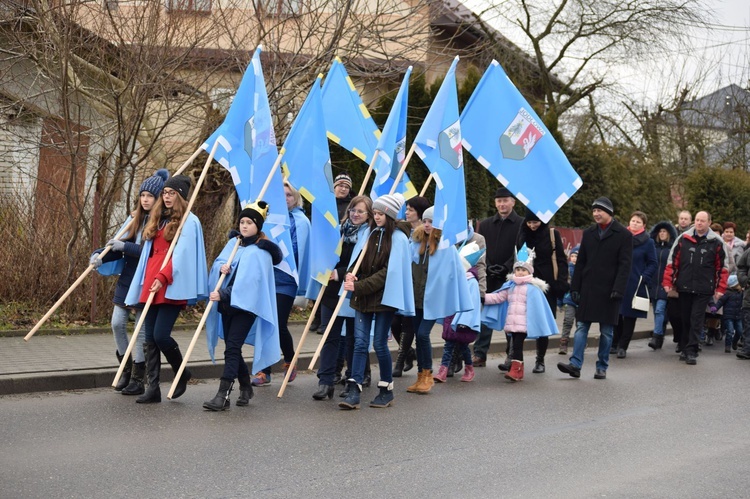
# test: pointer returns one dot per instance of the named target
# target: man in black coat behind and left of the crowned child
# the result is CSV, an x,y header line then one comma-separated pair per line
x,y
500,232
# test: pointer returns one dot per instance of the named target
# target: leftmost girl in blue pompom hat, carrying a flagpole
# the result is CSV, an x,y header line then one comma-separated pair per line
x,y
122,260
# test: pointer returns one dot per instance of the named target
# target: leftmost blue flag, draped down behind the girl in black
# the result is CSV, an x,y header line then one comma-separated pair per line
x,y
247,149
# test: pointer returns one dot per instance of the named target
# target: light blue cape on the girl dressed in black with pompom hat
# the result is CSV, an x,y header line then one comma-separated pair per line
x,y
253,290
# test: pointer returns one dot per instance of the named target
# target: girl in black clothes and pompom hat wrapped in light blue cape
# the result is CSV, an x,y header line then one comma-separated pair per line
x,y
246,305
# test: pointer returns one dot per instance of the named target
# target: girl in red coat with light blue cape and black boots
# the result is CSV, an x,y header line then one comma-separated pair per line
x,y
181,282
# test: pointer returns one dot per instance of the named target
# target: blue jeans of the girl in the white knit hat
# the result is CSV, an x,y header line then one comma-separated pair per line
x,y
362,325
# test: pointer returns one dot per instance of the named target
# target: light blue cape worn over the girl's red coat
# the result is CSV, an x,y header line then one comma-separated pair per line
x,y
189,271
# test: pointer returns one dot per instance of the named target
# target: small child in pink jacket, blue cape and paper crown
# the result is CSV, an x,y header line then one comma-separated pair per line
x,y
520,308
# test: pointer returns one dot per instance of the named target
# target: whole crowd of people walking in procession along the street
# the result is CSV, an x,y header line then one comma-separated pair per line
x,y
396,281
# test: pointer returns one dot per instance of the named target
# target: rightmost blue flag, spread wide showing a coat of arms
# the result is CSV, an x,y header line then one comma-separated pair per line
x,y
515,146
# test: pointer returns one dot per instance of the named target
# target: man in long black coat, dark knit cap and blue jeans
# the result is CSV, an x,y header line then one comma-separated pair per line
x,y
598,284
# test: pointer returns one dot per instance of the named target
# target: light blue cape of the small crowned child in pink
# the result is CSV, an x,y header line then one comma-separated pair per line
x,y
539,319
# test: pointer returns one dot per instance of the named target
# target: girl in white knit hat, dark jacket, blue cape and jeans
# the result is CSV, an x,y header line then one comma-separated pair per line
x,y
381,287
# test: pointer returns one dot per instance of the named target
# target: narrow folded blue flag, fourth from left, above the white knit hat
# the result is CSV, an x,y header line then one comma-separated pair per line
x,y
392,148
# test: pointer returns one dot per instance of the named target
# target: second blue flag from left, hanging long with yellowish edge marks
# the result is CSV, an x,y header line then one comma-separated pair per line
x,y
308,162
